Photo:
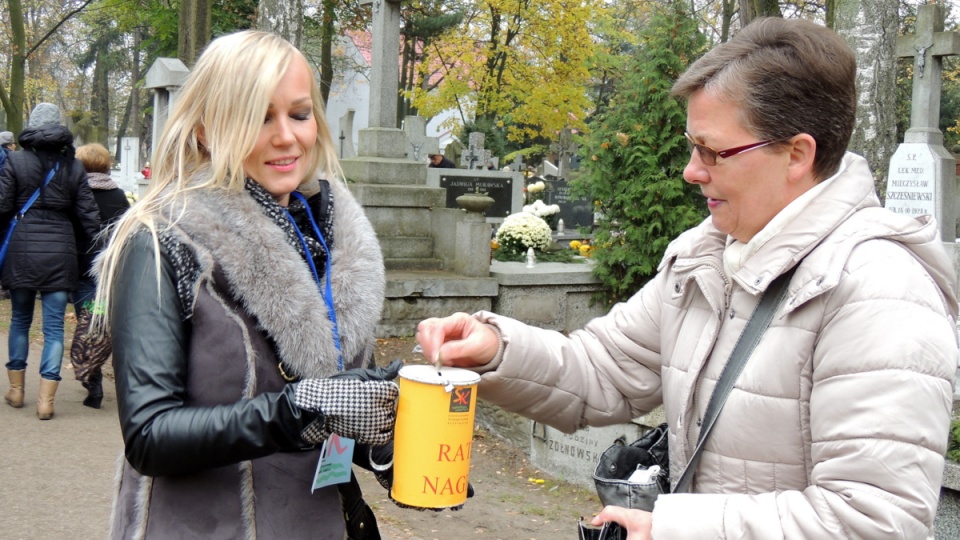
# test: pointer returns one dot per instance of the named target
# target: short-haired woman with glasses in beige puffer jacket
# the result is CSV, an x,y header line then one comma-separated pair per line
x,y
837,425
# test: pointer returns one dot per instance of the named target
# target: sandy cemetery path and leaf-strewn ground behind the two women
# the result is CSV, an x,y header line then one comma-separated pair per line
x,y
58,474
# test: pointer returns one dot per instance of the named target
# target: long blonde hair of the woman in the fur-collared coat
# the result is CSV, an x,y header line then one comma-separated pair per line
x,y
212,128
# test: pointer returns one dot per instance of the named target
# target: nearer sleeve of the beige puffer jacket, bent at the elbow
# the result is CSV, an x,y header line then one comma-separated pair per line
x,y
882,386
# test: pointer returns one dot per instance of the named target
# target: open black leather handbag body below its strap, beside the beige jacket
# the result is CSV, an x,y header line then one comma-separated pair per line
x,y
620,461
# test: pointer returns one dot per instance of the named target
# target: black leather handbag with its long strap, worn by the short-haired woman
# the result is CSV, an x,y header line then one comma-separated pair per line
x,y
633,476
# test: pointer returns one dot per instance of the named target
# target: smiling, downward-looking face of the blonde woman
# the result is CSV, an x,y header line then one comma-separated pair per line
x,y
282,156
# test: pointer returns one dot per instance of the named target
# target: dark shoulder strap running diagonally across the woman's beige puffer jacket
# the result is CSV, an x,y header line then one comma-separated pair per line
x,y
756,326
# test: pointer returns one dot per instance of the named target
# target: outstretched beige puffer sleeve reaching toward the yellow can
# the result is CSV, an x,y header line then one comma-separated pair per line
x,y
606,373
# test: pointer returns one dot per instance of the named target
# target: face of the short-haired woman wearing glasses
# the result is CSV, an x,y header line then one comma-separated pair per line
x,y
744,191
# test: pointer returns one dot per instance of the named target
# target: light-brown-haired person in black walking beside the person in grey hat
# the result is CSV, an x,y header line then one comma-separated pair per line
x,y
89,351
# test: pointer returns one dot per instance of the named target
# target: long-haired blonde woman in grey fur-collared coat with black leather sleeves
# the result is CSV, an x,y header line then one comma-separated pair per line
x,y
237,286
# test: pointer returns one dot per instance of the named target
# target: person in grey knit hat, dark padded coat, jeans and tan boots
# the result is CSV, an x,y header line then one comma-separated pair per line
x,y
42,257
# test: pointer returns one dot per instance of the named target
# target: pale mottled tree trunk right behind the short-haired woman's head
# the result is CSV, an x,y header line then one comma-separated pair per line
x,y
870,28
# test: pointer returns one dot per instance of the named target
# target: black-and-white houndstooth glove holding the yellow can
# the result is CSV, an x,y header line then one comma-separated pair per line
x,y
362,410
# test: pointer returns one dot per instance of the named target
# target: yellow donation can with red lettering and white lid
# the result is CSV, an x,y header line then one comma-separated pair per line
x,y
433,437
